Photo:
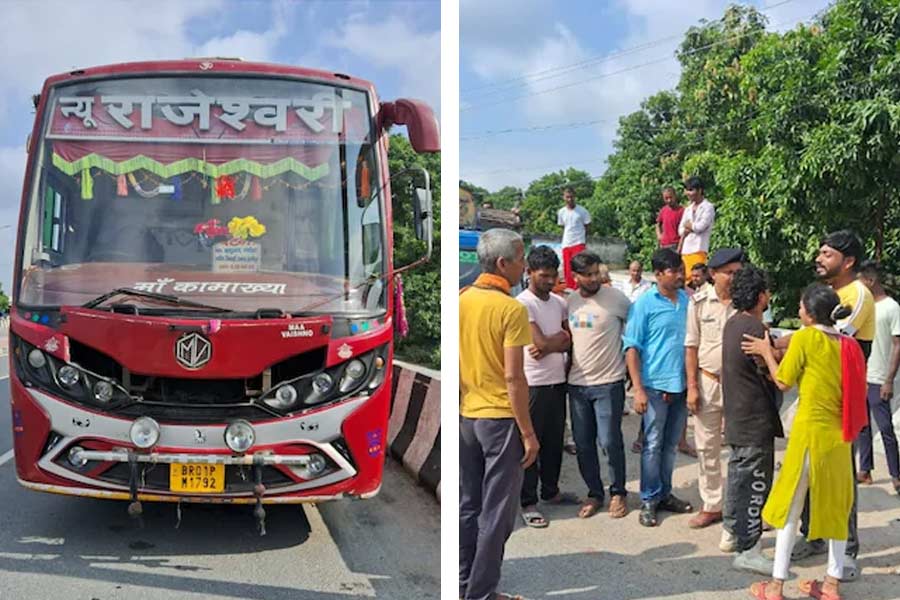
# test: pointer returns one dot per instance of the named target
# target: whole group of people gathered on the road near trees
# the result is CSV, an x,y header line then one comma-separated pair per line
x,y
709,355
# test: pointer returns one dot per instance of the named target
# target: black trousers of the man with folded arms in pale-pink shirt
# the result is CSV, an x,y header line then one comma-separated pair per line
x,y
547,405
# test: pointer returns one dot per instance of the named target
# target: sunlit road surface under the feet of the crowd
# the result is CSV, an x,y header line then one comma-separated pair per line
x,y
617,559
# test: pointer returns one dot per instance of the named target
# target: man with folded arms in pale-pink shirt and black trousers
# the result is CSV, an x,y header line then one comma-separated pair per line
x,y
545,370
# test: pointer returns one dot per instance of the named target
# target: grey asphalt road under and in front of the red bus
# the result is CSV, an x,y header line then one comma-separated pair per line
x,y
84,549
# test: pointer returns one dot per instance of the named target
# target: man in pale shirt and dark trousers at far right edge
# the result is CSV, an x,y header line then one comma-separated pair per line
x,y
881,371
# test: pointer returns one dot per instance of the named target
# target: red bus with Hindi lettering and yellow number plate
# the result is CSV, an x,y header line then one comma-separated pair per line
x,y
202,304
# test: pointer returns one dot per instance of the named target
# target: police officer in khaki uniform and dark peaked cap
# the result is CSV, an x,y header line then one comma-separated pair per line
x,y
709,309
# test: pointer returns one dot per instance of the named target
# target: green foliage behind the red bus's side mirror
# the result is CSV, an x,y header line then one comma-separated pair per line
x,y
422,284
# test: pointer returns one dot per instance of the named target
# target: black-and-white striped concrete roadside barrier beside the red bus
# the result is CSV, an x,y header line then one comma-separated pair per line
x,y
414,428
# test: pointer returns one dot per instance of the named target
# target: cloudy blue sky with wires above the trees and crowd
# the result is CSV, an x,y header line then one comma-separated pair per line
x,y
565,72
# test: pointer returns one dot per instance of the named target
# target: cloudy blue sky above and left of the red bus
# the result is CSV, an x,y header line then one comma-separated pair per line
x,y
45,37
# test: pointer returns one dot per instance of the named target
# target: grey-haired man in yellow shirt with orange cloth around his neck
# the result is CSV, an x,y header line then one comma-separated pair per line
x,y
497,441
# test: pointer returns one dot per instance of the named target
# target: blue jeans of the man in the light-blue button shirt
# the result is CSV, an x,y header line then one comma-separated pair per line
x,y
663,423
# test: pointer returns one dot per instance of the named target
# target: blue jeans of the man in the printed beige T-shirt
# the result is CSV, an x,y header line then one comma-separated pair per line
x,y
596,412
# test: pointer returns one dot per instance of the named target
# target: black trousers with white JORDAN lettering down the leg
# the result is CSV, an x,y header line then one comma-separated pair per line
x,y
750,473
